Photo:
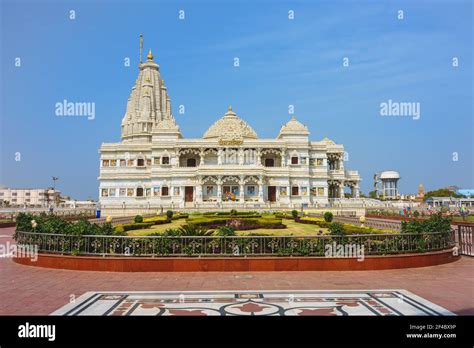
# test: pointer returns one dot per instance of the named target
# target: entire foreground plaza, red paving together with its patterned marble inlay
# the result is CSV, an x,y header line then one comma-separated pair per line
x,y
27,290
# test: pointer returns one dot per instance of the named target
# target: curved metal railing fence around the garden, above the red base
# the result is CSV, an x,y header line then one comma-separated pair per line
x,y
208,246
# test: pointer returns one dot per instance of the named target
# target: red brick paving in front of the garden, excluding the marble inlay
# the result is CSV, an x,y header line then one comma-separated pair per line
x,y
26,290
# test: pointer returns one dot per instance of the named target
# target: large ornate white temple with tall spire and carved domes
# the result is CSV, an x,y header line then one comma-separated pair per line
x,y
154,166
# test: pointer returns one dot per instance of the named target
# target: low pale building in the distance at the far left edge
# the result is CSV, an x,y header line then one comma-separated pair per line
x,y
28,197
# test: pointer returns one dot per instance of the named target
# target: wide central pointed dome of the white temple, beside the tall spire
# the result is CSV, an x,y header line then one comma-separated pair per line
x,y
230,127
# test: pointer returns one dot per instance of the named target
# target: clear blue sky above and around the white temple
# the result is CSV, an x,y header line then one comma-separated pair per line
x,y
282,62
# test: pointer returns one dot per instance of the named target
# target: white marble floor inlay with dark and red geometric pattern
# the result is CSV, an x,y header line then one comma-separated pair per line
x,y
260,302
